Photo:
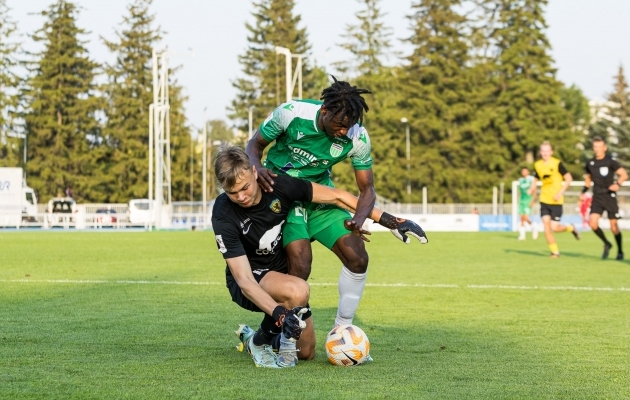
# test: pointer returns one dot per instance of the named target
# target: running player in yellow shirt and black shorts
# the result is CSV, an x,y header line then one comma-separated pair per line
x,y
555,181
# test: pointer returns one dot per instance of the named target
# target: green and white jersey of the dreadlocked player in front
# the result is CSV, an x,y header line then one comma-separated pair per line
x,y
304,151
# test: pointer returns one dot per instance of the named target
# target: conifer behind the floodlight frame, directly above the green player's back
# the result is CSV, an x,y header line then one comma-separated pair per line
x,y
262,84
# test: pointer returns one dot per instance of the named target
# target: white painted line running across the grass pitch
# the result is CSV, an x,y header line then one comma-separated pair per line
x,y
404,285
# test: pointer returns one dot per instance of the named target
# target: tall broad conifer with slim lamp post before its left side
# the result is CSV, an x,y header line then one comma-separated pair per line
x,y
451,155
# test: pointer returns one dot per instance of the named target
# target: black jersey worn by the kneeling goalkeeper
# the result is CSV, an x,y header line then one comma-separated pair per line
x,y
256,232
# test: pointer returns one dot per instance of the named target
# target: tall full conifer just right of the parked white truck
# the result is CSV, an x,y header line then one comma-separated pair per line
x,y
60,117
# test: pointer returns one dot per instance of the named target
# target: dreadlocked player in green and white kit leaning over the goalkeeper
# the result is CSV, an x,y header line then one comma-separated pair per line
x,y
310,137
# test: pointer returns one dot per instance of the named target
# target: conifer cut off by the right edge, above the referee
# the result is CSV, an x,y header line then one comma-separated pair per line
x,y
612,121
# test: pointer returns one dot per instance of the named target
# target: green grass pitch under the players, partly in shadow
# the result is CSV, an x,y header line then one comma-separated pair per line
x,y
113,339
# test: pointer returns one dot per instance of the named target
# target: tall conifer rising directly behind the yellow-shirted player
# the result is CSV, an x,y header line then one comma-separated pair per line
x,y
527,99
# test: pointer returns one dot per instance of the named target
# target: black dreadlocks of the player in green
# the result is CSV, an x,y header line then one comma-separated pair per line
x,y
345,100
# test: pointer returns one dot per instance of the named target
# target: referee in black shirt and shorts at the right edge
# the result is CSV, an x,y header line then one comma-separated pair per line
x,y
600,171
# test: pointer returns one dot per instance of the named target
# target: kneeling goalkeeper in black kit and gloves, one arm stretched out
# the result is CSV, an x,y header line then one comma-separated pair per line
x,y
247,223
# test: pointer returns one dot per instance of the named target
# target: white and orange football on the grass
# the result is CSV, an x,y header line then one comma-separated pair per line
x,y
347,345
